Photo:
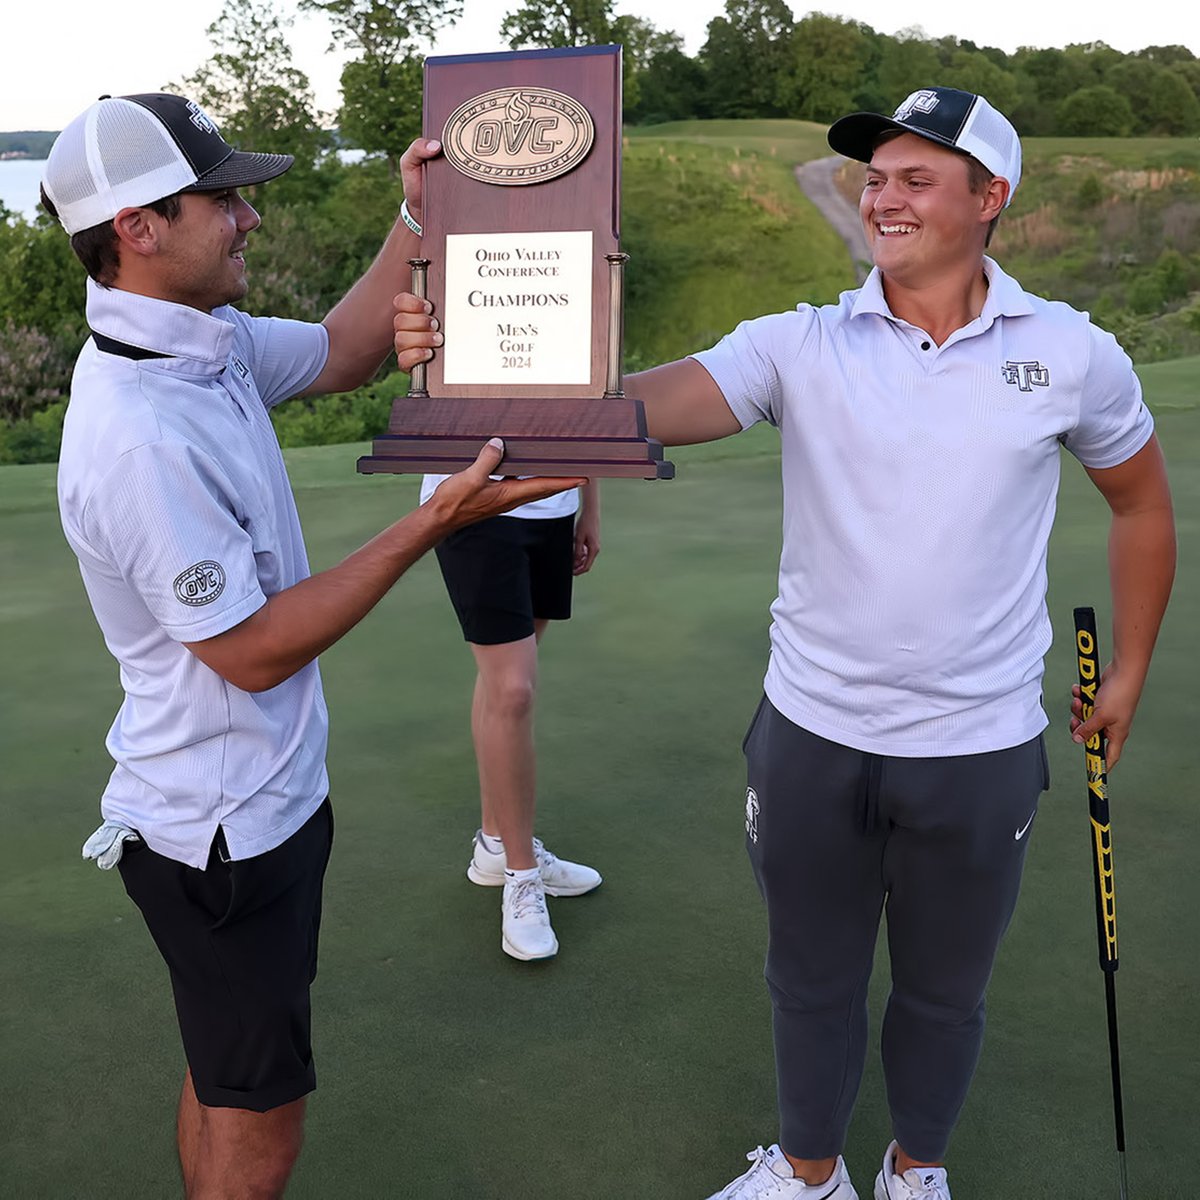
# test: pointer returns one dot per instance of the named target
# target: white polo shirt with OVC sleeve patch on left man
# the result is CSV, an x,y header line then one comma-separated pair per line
x,y
175,497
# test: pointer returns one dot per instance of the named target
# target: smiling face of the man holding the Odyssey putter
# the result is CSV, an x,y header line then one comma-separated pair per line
x,y
921,218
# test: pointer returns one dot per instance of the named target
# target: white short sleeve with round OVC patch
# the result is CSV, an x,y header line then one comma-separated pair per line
x,y
165,519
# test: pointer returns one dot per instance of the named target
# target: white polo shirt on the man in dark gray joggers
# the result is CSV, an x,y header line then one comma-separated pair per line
x,y
920,487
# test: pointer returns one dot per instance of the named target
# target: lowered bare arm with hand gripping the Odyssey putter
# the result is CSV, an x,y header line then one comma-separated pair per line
x,y
1142,569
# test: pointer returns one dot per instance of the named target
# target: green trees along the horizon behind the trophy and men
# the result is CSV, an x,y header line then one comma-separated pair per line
x,y
758,62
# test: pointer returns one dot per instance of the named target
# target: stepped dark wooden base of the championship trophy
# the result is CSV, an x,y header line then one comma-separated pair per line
x,y
595,439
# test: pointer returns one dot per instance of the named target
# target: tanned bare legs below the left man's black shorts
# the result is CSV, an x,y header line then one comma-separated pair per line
x,y
236,1154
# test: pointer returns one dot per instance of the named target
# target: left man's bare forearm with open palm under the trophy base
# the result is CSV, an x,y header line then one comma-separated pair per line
x,y
304,621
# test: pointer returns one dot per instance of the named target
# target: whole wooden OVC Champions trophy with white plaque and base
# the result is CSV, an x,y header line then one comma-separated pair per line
x,y
525,272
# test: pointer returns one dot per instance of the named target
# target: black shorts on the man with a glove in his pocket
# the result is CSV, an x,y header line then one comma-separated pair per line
x,y
241,943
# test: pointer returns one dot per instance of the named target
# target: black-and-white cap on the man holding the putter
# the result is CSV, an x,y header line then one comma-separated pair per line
x,y
961,121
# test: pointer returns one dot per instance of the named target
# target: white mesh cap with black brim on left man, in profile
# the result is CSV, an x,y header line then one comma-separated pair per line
x,y
125,152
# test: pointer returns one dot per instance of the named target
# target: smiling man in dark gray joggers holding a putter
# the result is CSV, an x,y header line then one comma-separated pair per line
x,y
897,758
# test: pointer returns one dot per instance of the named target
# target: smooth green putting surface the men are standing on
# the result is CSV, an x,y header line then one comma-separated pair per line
x,y
639,1063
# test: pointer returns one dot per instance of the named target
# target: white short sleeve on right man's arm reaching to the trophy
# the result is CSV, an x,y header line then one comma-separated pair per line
x,y
749,364
